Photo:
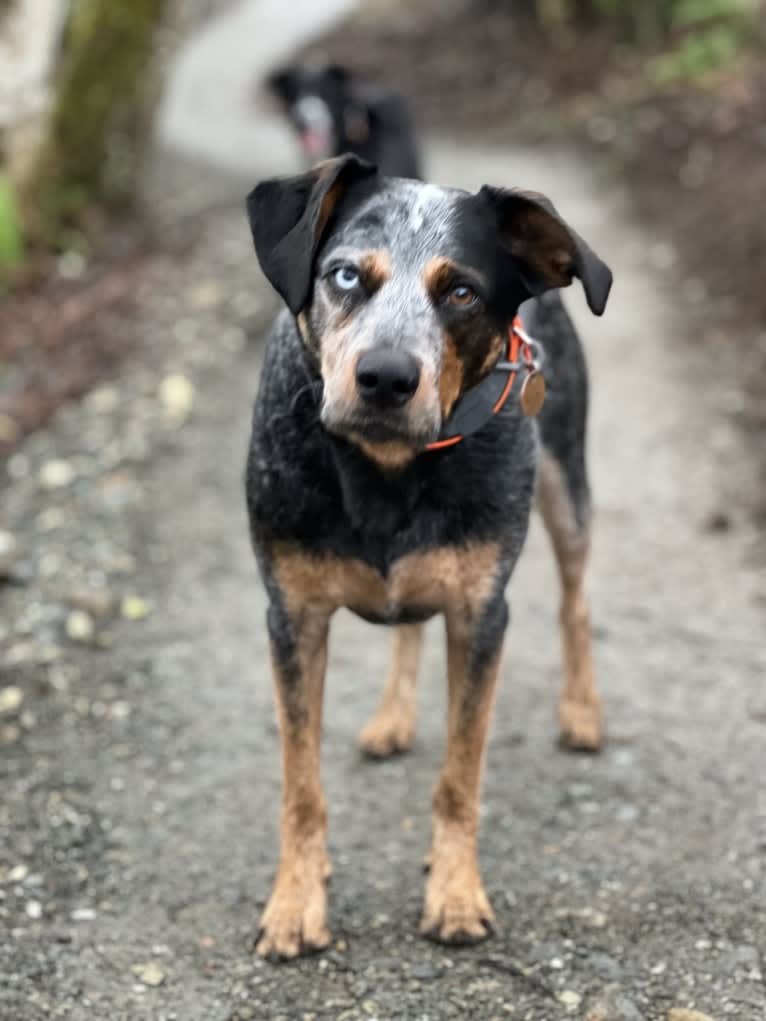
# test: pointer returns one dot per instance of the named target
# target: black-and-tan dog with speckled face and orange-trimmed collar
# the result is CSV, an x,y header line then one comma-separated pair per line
x,y
370,488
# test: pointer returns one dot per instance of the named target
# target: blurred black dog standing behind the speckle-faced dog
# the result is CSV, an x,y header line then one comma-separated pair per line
x,y
333,112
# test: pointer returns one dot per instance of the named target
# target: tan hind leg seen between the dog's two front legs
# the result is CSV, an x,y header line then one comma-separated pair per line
x,y
392,730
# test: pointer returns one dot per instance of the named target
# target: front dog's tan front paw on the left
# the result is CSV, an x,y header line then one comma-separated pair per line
x,y
296,919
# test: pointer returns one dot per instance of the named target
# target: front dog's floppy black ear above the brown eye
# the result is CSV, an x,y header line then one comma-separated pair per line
x,y
550,252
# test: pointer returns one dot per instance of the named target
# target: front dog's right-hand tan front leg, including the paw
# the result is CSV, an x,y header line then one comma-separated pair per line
x,y
457,909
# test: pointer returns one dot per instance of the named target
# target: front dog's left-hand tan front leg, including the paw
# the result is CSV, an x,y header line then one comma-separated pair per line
x,y
296,919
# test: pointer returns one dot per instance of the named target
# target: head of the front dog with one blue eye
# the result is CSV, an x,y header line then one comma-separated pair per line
x,y
404,291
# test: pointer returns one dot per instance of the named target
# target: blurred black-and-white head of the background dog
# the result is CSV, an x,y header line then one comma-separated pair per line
x,y
321,107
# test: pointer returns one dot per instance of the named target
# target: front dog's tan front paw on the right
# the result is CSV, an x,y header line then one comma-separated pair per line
x,y
457,909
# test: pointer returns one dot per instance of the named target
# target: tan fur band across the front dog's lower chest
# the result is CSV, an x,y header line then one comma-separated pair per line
x,y
444,580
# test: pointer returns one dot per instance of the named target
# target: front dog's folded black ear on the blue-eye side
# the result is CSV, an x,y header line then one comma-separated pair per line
x,y
289,217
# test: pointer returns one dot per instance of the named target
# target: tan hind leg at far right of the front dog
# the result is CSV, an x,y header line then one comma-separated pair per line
x,y
581,722
